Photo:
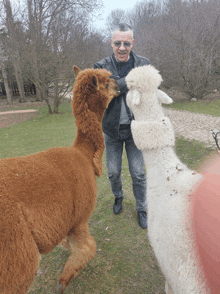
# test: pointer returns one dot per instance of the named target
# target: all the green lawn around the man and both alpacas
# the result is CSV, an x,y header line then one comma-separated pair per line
x,y
124,262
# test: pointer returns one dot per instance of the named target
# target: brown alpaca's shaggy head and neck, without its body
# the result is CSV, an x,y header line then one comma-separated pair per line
x,y
93,90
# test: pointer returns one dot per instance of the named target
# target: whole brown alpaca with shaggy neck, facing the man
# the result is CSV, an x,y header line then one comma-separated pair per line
x,y
49,195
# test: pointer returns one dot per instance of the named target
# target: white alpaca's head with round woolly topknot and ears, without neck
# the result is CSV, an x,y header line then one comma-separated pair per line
x,y
144,98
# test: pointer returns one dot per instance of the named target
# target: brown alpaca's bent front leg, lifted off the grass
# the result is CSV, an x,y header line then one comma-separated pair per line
x,y
83,248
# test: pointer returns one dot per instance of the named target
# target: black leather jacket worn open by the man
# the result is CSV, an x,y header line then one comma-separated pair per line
x,y
110,122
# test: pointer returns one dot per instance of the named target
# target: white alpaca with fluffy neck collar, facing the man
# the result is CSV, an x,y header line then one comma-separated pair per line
x,y
169,184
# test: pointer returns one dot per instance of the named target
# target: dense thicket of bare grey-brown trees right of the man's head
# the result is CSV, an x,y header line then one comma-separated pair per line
x,y
182,40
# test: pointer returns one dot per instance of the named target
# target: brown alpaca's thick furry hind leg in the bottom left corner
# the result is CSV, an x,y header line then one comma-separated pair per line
x,y
18,264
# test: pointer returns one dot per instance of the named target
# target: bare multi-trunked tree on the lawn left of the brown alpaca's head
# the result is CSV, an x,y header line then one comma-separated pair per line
x,y
50,25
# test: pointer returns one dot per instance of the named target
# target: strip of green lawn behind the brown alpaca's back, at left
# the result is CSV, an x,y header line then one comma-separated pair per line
x,y
40,133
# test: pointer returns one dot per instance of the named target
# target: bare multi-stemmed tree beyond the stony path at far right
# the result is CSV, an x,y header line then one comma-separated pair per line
x,y
196,35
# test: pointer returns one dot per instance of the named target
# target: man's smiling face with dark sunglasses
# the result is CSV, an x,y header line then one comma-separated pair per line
x,y
120,42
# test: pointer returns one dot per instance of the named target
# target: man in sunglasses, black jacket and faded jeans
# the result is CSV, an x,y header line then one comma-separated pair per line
x,y
117,120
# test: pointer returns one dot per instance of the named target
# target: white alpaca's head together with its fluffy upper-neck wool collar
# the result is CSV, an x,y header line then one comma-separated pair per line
x,y
150,129
